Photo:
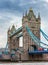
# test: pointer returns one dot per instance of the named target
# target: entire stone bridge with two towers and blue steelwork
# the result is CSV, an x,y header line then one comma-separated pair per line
x,y
33,47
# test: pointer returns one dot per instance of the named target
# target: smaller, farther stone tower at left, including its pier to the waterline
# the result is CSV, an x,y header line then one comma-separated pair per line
x,y
13,42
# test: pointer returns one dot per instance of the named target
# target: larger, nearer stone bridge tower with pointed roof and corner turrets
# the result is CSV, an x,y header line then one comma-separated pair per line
x,y
33,23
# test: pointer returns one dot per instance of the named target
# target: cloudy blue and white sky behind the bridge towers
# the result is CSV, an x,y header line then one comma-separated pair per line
x,y
11,12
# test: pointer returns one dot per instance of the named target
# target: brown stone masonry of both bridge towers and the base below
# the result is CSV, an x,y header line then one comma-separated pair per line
x,y
34,23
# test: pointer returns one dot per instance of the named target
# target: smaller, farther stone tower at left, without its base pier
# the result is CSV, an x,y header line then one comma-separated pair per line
x,y
12,41
